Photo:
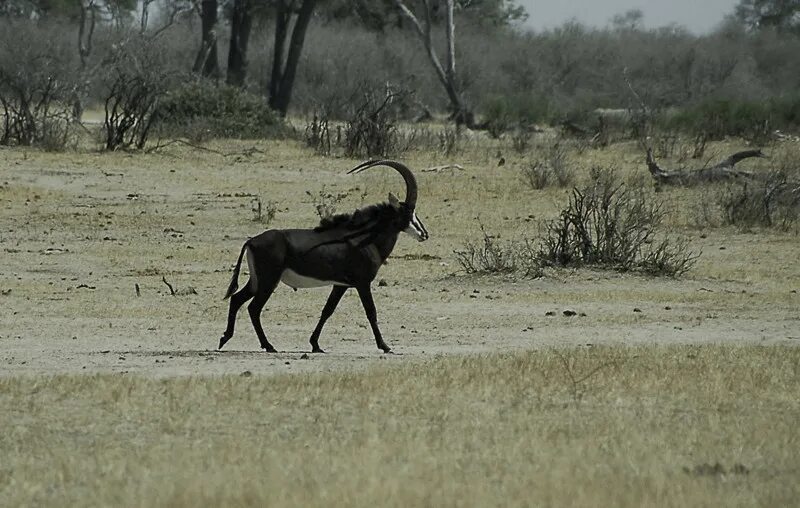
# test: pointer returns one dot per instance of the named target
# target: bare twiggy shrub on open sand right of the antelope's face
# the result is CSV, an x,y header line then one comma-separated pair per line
x,y
609,225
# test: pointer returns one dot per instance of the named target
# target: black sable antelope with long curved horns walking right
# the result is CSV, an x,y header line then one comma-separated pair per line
x,y
344,251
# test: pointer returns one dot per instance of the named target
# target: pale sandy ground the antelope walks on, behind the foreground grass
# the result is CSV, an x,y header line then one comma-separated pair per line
x,y
79,232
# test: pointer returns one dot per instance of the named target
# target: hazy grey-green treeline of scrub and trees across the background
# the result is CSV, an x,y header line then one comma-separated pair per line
x,y
741,79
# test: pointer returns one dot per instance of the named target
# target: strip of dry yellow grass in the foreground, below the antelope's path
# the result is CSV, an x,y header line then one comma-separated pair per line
x,y
603,426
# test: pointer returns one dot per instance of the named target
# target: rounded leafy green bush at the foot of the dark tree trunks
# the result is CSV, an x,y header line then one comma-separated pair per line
x,y
222,111
